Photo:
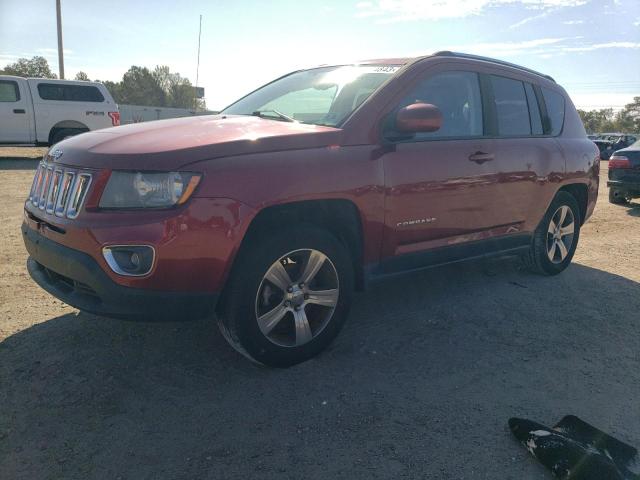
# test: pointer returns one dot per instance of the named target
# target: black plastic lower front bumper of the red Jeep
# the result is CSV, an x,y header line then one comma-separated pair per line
x,y
78,280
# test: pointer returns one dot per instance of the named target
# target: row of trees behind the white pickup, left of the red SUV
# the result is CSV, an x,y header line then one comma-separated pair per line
x,y
139,85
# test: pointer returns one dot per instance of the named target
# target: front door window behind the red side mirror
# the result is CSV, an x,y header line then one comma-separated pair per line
x,y
457,95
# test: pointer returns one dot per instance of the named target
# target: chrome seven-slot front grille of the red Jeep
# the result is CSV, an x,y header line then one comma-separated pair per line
x,y
59,190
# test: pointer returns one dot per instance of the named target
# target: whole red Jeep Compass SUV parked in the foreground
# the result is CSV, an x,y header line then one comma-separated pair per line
x,y
269,215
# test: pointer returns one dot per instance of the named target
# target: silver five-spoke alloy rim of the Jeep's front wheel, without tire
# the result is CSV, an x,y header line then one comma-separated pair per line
x,y
297,297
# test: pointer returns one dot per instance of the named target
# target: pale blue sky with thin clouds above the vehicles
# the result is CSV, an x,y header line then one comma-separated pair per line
x,y
591,47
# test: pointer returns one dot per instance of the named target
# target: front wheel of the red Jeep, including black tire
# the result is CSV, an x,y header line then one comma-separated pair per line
x,y
289,297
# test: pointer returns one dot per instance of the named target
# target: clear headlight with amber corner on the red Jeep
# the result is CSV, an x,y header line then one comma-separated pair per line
x,y
148,189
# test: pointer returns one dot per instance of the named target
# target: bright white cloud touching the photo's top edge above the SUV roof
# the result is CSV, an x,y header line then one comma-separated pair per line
x,y
389,11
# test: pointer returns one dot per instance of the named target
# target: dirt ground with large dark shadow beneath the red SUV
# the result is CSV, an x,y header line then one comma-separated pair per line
x,y
420,383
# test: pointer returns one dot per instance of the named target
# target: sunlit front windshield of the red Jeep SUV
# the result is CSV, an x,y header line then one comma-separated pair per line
x,y
321,96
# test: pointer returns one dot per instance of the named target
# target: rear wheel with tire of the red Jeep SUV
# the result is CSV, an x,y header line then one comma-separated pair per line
x,y
556,238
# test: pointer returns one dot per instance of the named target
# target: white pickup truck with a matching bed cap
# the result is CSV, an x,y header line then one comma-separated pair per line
x,y
41,111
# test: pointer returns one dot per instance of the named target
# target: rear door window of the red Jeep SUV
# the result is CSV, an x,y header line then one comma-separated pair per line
x,y
511,106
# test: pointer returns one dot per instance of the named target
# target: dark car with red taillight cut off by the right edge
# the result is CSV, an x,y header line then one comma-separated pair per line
x,y
624,174
